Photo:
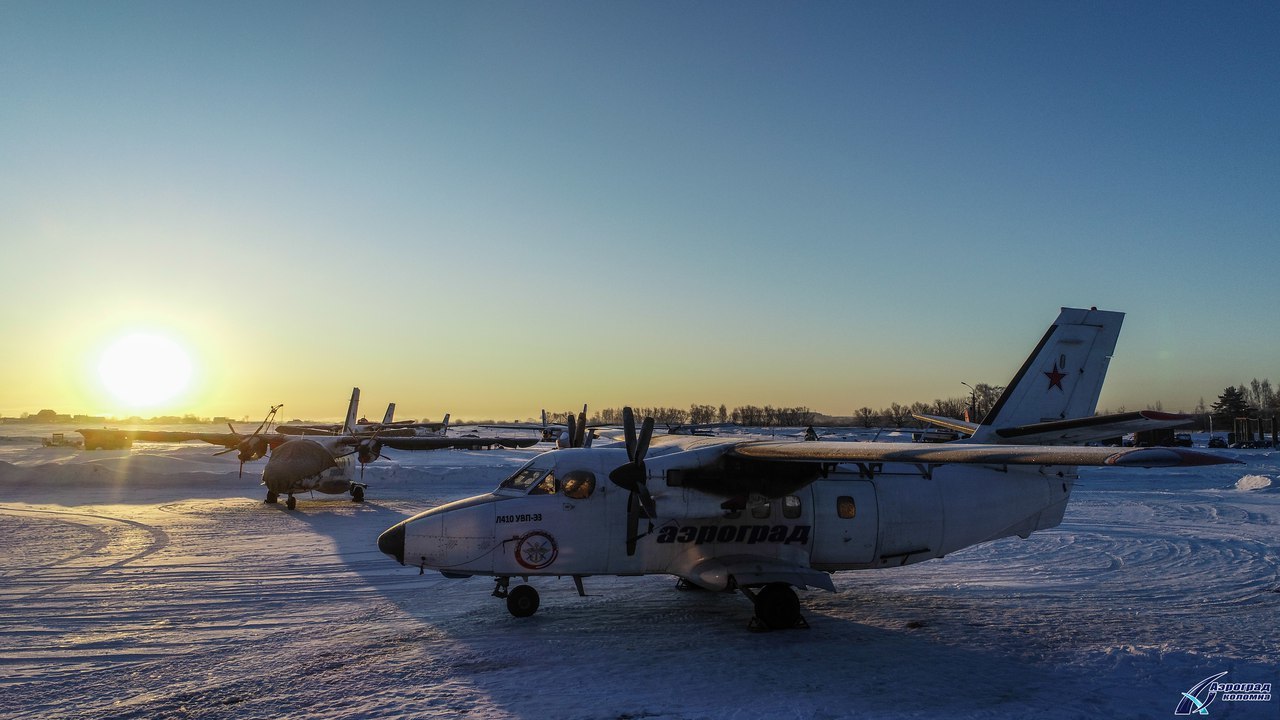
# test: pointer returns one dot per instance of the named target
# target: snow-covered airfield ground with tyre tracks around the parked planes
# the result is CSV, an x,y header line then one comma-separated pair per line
x,y
156,584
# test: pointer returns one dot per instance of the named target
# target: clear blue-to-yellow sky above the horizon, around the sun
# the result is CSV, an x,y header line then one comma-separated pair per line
x,y
492,208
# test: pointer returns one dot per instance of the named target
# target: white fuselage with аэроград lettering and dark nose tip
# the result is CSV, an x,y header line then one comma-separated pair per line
x,y
545,521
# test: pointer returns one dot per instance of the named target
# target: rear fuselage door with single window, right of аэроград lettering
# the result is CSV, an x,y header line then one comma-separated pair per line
x,y
845,520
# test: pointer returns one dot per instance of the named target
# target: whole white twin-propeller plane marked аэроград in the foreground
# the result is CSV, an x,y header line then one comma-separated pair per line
x,y
766,517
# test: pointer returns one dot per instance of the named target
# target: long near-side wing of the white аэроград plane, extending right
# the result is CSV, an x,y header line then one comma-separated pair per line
x,y
830,452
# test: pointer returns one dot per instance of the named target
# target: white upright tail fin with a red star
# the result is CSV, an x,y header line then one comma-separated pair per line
x,y
1063,377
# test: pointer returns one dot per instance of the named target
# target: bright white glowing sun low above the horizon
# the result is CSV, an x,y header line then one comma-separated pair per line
x,y
145,370
